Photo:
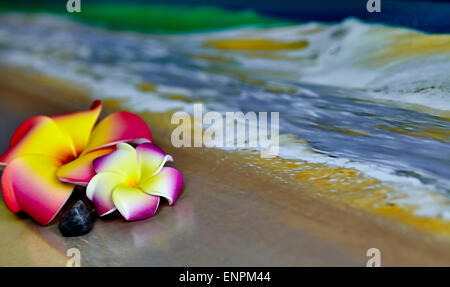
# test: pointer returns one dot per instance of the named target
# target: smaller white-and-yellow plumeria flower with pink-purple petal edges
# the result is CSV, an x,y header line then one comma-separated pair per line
x,y
133,180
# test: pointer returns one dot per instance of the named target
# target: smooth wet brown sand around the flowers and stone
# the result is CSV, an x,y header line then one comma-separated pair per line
x,y
227,214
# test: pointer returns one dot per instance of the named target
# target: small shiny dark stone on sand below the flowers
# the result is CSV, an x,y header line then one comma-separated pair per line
x,y
77,221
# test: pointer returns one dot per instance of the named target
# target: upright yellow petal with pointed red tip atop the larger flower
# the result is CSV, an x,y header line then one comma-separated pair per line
x,y
79,125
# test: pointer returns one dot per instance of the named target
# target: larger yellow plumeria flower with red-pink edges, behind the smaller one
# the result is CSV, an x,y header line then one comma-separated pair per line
x,y
49,154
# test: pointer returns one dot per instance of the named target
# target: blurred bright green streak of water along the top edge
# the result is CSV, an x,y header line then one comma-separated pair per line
x,y
151,18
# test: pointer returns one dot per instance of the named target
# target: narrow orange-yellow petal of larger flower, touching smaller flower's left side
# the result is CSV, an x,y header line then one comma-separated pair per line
x,y
81,170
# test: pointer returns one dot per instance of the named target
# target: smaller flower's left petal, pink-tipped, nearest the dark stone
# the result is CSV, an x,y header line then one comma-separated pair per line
x,y
100,188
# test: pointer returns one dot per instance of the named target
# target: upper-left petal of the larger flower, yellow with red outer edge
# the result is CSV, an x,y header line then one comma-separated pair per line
x,y
39,135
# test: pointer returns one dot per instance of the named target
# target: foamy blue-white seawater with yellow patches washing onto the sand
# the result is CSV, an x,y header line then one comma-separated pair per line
x,y
367,97
